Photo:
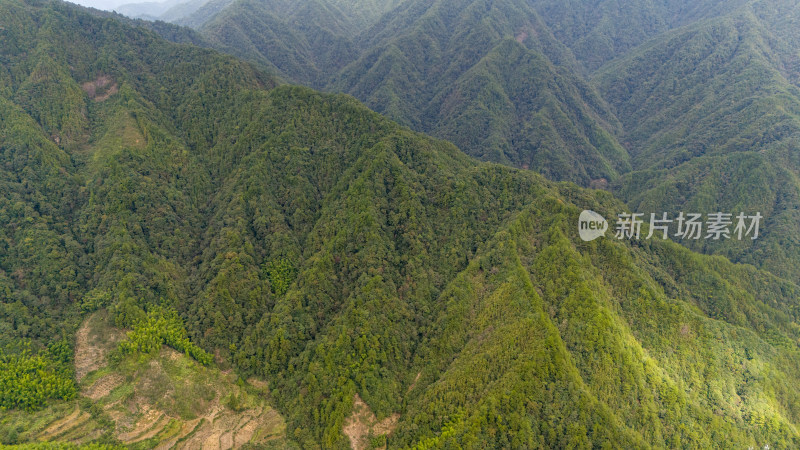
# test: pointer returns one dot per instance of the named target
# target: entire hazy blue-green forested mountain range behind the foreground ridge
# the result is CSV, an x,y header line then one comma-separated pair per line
x,y
703,94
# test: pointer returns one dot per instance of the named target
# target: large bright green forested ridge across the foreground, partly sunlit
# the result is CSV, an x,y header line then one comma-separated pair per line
x,y
303,239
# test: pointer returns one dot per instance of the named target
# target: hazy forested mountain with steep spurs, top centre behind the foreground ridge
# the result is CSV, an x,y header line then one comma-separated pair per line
x,y
490,77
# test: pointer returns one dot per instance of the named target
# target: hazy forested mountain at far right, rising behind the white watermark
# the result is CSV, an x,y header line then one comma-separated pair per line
x,y
717,127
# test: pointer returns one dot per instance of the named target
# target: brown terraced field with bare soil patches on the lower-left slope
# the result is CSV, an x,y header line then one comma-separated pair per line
x,y
168,402
